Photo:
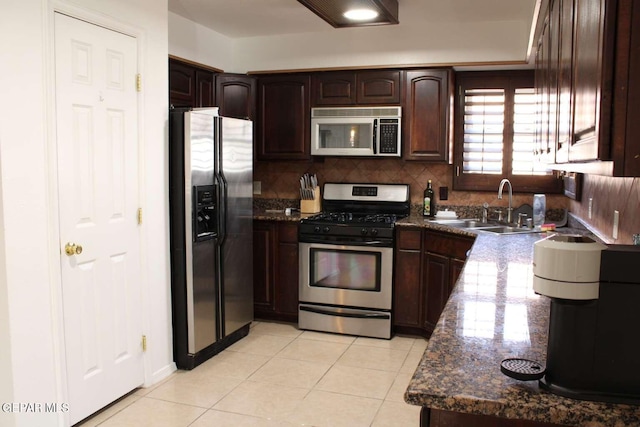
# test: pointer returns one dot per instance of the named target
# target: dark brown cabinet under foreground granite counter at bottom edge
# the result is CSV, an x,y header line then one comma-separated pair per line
x,y
439,418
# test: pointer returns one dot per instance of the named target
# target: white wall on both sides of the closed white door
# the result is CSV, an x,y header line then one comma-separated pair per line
x,y
30,314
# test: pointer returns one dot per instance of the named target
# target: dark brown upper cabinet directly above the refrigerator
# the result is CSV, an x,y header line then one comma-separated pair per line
x,y
190,85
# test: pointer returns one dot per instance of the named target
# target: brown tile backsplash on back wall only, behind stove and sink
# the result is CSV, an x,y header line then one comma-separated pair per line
x,y
280,180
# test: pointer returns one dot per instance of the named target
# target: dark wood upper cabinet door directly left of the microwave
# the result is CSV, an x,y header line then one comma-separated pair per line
x,y
284,118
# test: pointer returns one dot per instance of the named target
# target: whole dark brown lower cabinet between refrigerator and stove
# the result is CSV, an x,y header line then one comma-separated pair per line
x,y
275,270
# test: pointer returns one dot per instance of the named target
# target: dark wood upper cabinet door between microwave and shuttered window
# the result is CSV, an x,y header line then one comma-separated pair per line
x,y
426,115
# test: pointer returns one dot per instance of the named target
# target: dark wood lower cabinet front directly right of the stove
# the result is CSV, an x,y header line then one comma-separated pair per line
x,y
407,291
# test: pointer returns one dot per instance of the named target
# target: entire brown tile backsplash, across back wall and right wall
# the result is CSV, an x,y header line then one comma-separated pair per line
x,y
280,180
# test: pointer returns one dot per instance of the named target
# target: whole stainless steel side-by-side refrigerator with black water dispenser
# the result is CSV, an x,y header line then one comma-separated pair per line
x,y
211,208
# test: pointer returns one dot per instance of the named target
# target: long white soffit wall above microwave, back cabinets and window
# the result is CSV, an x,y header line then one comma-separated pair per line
x,y
434,44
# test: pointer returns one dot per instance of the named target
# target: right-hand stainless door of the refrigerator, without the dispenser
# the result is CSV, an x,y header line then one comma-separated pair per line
x,y
236,173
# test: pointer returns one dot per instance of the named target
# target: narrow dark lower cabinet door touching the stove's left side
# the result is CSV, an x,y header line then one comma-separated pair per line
x,y
287,272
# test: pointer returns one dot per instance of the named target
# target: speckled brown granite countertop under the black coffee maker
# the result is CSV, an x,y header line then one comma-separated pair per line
x,y
491,315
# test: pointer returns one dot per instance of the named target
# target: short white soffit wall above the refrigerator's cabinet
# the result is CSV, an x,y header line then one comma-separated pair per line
x,y
197,43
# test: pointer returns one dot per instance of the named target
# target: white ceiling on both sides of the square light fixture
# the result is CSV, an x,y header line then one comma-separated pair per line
x,y
256,18
